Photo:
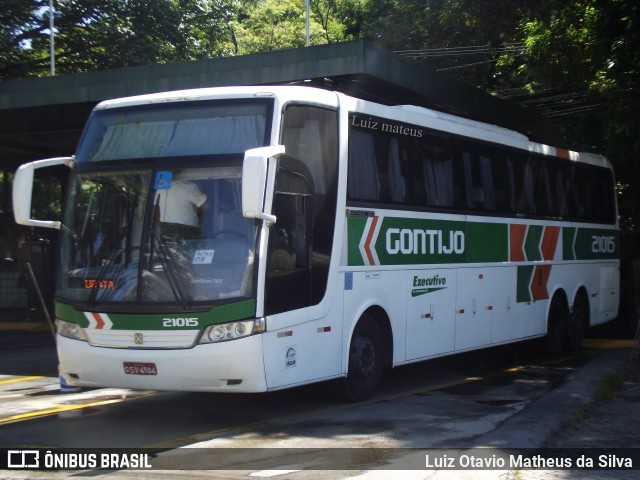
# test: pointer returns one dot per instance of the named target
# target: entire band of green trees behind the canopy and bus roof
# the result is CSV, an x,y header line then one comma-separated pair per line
x,y
578,62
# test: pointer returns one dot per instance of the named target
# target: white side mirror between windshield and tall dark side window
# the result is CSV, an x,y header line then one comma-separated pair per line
x,y
255,176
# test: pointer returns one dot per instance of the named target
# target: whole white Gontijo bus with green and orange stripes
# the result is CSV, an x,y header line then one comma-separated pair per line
x,y
258,238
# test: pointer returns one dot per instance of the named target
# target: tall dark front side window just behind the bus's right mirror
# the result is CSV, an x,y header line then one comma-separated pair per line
x,y
305,202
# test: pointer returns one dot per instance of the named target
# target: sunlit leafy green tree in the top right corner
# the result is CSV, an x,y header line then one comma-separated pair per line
x,y
593,47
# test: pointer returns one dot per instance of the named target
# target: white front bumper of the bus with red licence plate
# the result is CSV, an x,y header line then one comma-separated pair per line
x,y
233,366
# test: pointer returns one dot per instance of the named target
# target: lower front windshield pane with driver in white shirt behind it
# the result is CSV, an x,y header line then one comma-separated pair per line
x,y
174,236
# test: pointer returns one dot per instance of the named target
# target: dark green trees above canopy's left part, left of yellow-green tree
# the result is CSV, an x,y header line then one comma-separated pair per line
x,y
101,34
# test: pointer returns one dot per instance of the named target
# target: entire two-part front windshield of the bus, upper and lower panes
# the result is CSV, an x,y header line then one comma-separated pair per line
x,y
153,208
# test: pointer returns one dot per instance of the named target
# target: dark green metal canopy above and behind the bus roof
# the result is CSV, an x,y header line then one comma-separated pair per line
x,y
42,117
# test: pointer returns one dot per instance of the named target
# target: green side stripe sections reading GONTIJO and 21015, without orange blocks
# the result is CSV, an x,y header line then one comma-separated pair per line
x,y
413,241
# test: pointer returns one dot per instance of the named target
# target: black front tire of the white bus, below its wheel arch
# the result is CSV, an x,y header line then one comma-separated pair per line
x,y
365,361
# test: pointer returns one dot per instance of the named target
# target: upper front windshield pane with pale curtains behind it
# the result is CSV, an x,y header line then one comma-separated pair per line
x,y
164,131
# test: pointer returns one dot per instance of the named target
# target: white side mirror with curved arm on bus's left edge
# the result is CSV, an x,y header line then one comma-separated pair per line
x,y
23,191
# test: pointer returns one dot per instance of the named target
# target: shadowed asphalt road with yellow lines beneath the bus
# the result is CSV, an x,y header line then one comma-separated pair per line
x,y
442,403
